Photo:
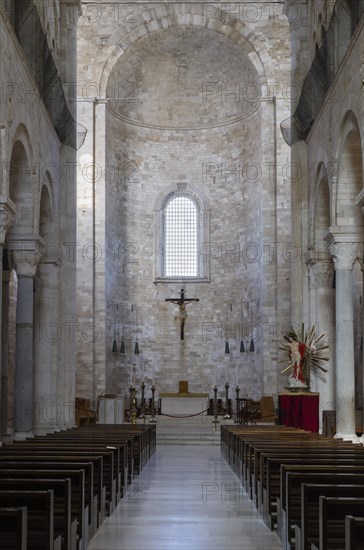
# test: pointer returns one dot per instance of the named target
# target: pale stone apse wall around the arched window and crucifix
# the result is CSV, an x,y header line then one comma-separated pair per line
x,y
192,95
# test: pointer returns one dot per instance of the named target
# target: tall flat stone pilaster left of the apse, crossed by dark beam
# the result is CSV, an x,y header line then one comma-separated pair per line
x,y
66,370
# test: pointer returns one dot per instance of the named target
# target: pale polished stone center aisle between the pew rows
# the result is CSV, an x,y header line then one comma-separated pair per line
x,y
186,498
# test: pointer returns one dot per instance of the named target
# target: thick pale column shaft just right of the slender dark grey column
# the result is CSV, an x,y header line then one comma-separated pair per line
x,y
48,335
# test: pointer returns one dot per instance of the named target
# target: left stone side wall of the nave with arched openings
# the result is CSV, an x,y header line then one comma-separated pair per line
x,y
37,223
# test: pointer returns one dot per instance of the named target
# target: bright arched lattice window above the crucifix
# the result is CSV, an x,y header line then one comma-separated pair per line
x,y
181,232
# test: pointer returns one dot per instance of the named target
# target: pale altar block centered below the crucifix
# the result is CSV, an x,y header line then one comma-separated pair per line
x,y
184,403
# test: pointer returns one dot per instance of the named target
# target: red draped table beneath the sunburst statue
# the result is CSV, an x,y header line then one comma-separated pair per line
x,y
299,409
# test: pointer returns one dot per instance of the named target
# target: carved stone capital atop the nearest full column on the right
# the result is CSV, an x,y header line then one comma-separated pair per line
x,y
344,248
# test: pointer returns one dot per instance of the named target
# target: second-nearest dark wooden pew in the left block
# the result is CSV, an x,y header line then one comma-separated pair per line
x,y
39,504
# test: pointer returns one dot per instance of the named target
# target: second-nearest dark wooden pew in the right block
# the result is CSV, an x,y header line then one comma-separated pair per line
x,y
332,512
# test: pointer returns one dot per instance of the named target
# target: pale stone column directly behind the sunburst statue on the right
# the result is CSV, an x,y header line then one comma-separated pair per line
x,y
323,297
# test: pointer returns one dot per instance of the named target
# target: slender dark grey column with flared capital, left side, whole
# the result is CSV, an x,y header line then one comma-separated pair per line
x,y
25,256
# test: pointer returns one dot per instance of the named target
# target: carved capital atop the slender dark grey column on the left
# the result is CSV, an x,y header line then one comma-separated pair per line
x,y
26,253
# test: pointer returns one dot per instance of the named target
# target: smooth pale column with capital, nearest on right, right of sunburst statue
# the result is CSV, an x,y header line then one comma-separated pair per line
x,y
344,250
